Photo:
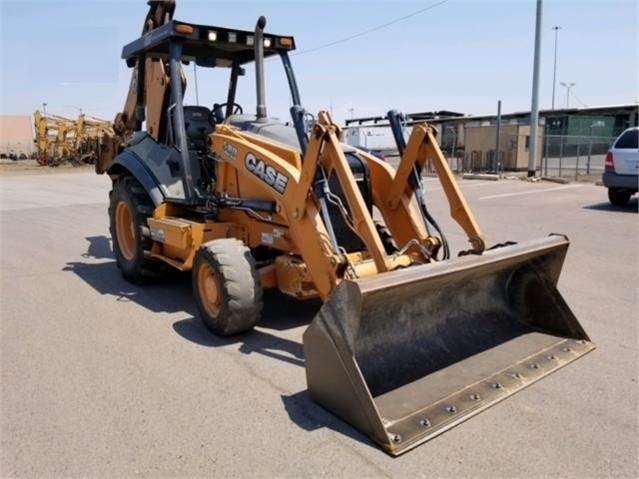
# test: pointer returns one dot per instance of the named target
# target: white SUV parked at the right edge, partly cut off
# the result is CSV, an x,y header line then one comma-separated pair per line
x,y
621,169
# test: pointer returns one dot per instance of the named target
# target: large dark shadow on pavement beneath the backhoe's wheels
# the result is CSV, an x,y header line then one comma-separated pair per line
x,y
173,294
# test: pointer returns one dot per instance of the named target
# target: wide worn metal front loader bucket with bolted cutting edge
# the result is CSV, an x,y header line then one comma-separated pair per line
x,y
406,355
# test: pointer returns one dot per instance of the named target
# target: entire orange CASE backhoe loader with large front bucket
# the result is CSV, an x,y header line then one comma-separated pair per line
x,y
410,340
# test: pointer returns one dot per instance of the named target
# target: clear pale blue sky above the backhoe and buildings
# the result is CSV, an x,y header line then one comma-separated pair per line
x,y
459,55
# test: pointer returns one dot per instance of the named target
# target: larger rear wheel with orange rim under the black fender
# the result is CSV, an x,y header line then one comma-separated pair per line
x,y
129,208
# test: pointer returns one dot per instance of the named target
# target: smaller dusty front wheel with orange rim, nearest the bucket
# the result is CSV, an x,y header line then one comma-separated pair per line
x,y
226,286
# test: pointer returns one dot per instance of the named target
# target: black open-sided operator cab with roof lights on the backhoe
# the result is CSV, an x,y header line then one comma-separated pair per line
x,y
185,128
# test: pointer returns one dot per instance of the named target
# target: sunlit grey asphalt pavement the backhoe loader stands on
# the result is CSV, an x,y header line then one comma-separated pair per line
x,y
102,378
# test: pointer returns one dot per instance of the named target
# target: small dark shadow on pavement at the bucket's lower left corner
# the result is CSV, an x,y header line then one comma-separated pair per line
x,y
310,416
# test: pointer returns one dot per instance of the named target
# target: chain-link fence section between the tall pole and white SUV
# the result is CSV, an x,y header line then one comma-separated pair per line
x,y
575,157
